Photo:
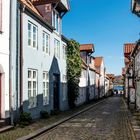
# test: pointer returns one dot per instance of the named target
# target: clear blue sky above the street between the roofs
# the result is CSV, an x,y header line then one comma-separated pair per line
x,y
108,24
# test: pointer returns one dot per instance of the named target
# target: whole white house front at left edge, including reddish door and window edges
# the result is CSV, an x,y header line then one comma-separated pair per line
x,y
4,58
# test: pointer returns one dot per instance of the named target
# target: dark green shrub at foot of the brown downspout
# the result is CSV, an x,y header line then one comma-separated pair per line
x,y
25,119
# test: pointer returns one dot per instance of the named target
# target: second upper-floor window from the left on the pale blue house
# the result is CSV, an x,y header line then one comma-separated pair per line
x,y
46,43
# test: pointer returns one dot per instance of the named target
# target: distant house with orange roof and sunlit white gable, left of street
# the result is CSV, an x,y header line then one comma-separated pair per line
x,y
100,67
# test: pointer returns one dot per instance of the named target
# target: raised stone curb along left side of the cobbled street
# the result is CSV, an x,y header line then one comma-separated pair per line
x,y
49,127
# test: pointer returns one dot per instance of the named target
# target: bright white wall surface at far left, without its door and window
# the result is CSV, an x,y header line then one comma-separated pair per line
x,y
4,55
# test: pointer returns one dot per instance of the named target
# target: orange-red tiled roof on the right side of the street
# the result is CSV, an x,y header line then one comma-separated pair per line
x,y
128,48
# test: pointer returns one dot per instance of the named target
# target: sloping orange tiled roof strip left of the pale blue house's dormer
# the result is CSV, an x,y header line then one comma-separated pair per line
x,y
30,6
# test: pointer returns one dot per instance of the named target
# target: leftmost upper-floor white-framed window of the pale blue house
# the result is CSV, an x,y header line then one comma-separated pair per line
x,y
32,35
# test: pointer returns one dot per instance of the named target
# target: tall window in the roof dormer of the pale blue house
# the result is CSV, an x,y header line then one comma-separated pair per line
x,y
56,21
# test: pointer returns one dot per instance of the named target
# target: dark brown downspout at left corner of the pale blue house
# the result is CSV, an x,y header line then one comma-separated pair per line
x,y
22,8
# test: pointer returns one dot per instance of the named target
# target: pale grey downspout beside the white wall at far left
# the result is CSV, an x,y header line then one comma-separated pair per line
x,y
10,62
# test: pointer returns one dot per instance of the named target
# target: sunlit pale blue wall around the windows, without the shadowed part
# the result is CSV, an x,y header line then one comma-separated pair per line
x,y
36,58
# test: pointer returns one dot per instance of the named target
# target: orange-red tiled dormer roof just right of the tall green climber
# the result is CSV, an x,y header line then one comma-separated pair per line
x,y
87,47
